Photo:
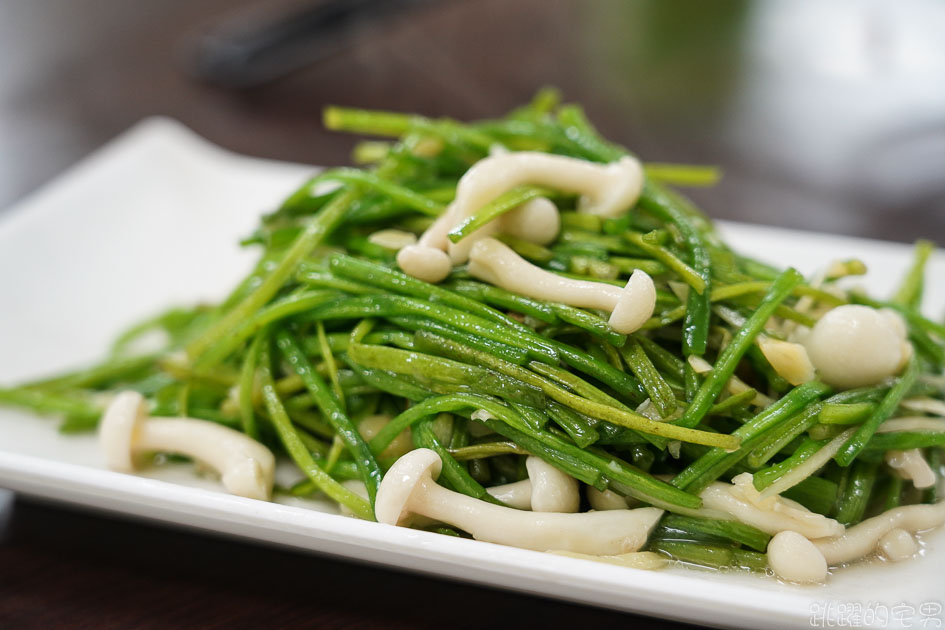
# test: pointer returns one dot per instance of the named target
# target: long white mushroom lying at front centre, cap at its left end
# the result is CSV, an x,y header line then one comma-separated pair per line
x,y
409,489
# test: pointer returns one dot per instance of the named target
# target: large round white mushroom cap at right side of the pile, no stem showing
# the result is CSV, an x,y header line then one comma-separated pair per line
x,y
856,346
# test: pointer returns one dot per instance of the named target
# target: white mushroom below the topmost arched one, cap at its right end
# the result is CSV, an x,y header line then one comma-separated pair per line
x,y
630,307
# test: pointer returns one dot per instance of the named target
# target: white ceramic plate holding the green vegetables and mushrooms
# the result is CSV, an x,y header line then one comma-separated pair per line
x,y
152,220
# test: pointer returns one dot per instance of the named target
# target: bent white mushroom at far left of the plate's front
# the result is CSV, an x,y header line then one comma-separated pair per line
x,y
246,467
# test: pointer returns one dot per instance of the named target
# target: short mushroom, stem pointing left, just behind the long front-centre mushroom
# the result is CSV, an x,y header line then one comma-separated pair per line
x,y
547,489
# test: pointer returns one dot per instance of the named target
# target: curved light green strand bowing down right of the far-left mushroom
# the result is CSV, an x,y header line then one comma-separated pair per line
x,y
297,450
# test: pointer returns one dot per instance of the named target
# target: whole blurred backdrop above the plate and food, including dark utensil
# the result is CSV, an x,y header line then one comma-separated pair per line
x,y
824,115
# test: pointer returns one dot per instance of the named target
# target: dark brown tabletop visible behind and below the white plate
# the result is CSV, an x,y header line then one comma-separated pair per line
x,y
825,116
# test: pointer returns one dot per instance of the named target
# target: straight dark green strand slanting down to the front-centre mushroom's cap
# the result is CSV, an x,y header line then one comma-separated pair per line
x,y
330,406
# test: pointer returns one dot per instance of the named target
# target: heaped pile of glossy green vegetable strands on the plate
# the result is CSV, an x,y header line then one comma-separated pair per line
x,y
327,334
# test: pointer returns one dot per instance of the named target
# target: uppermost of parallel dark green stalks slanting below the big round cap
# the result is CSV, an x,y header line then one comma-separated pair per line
x,y
713,464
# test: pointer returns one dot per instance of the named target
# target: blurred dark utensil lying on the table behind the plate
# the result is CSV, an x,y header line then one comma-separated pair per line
x,y
253,48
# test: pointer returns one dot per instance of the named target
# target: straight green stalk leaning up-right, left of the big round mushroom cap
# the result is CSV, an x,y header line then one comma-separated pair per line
x,y
725,366
